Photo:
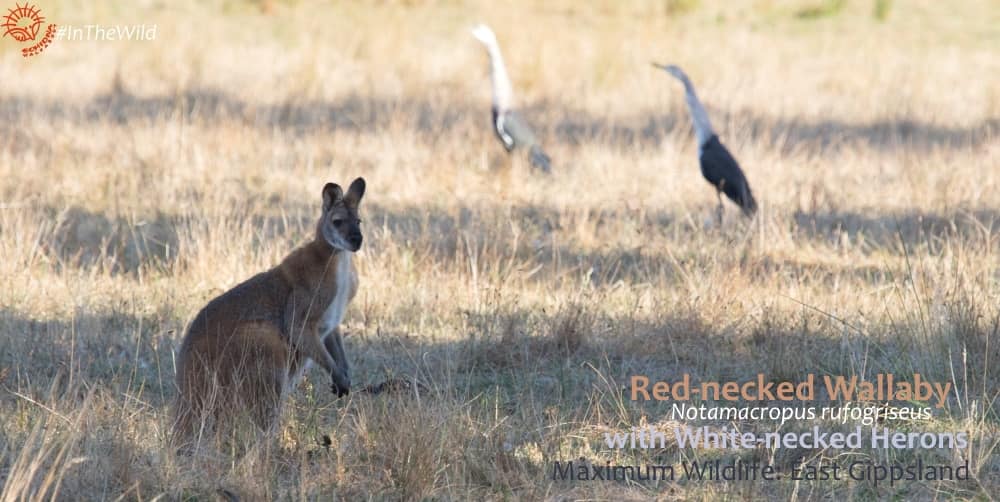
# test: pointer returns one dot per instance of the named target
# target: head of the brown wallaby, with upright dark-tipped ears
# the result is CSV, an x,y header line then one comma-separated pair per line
x,y
340,225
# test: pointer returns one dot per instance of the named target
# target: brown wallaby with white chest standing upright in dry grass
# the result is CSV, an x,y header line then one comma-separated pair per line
x,y
246,350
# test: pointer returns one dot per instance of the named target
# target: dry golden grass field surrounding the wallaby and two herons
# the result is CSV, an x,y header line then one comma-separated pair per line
x,y
140,179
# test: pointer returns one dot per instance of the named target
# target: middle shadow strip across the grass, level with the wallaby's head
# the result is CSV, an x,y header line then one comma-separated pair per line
x,y
535,241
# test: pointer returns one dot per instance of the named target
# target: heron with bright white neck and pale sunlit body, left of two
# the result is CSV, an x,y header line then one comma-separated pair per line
x,y
508,125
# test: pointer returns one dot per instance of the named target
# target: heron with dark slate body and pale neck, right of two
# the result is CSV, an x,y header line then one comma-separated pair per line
x,y
717,165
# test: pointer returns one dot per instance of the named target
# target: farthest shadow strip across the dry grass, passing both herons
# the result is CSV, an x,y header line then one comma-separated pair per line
x,y
438,117
